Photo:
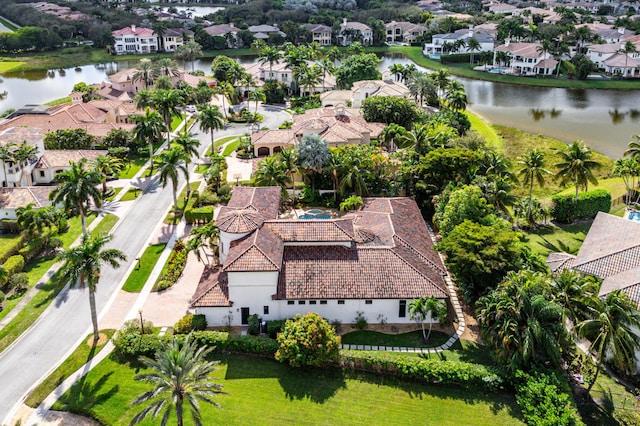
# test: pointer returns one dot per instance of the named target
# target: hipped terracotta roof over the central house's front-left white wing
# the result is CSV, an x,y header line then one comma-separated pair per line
x,y
260,251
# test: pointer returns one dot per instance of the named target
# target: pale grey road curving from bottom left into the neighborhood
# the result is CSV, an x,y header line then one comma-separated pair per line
x,y
67,319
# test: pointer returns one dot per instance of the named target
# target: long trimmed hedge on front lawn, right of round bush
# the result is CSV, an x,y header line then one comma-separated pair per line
x,y
427,370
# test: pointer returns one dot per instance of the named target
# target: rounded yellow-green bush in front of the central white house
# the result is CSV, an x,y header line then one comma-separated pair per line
x,y
307,340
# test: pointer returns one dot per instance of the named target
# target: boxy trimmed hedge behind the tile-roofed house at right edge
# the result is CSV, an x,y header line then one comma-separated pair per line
x,y
566,209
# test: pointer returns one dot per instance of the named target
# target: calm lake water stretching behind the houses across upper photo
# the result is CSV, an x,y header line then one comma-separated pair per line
x,y
604,119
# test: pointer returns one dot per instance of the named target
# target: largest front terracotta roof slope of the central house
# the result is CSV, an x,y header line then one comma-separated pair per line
x,y
330,272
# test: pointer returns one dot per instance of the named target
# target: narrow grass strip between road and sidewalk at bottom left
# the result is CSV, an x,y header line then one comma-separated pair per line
x,y
78,358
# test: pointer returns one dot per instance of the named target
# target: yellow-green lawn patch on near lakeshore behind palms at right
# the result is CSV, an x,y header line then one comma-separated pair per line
x,y
518,143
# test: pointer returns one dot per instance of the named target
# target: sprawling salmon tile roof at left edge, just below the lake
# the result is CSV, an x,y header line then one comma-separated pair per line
x,y
65,117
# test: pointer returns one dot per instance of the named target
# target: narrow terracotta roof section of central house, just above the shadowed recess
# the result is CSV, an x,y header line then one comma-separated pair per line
x,y
340,230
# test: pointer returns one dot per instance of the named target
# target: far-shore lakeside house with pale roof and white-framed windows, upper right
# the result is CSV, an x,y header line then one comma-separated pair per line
x,y
527,59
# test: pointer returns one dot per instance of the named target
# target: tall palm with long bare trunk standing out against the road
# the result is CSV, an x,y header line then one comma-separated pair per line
x,y
82,266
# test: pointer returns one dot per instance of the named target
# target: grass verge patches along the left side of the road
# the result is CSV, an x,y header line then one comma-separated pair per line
x,y
48,292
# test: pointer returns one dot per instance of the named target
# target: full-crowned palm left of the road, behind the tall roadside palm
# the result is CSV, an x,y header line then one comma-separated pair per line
x,y
76,187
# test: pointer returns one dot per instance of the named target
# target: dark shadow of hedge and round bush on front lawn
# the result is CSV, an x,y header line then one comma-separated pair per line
x,y
315,384
